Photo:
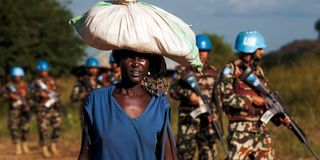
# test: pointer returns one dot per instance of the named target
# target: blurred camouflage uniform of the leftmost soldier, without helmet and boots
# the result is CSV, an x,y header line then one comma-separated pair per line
x,y
19,111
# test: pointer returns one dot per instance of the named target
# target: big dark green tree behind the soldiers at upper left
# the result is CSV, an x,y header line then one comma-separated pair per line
x,y
32,30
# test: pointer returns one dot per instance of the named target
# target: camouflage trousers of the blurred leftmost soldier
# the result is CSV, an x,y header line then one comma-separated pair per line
x,y
18,124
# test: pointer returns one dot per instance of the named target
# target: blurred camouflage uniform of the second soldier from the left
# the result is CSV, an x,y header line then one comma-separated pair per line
x,y
47,114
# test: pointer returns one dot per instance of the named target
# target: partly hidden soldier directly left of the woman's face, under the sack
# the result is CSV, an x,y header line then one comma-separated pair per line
x,y
112,76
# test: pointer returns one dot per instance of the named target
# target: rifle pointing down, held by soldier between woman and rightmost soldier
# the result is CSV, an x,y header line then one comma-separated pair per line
x,y
204,107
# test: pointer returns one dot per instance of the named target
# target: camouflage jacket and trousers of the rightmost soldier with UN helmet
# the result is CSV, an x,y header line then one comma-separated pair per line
x,y
248,137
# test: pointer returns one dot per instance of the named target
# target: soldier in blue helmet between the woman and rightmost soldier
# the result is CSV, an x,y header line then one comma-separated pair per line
x,y
193,132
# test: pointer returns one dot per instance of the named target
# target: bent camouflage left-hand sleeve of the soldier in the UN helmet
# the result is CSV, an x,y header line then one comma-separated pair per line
x,y
229,97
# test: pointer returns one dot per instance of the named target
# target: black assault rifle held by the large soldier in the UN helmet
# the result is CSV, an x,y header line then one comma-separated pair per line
x,y
277,106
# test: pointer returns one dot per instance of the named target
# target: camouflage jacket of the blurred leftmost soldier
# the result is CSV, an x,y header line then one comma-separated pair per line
x,y
20,90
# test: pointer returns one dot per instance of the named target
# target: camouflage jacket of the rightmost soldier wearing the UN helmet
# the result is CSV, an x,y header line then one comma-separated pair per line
x,y
237,95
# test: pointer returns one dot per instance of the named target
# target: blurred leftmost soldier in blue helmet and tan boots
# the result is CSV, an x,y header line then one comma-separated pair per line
x,y
19,111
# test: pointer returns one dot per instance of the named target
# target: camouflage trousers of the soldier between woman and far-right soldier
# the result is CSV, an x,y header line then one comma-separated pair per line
x,y
191,136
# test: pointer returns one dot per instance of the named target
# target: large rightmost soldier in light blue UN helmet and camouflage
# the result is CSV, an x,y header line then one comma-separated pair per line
x,y
248,137
